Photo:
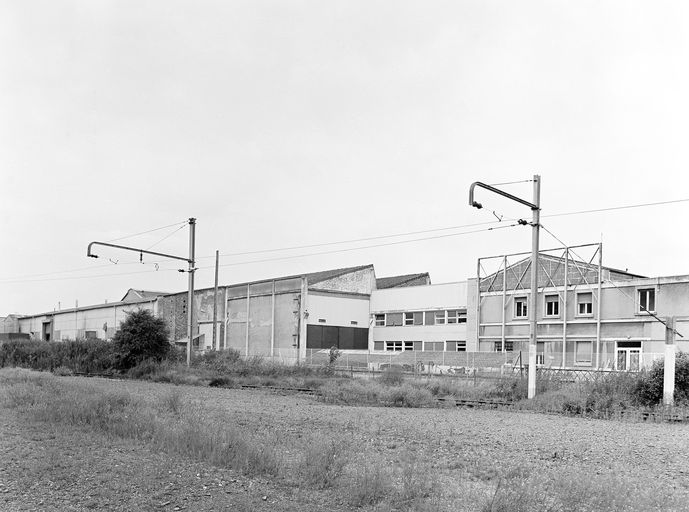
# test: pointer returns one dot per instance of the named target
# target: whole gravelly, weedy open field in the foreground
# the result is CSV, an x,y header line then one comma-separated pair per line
x,y
163,447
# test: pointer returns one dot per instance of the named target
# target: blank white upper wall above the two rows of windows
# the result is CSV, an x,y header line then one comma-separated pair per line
x,y
420,298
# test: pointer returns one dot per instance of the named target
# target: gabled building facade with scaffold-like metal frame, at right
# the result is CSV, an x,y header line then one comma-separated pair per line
x,y
589,316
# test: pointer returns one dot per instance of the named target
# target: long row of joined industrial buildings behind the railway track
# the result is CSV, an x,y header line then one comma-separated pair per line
x,y
589,316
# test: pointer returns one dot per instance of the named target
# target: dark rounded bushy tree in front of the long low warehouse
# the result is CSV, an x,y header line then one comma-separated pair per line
x,y
141,336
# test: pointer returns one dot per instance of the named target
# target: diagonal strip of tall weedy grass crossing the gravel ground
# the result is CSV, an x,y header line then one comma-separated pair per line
x,y
323,460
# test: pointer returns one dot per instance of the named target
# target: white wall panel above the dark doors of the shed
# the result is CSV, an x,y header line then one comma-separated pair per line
x,y
338,310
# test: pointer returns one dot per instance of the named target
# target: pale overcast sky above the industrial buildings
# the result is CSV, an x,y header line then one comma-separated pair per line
x,y
290,123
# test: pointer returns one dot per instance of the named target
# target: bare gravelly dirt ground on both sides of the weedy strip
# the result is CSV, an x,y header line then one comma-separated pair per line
x,y
54,468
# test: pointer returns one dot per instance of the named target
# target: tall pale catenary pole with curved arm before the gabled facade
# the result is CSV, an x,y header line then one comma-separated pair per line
x,y
535,207
